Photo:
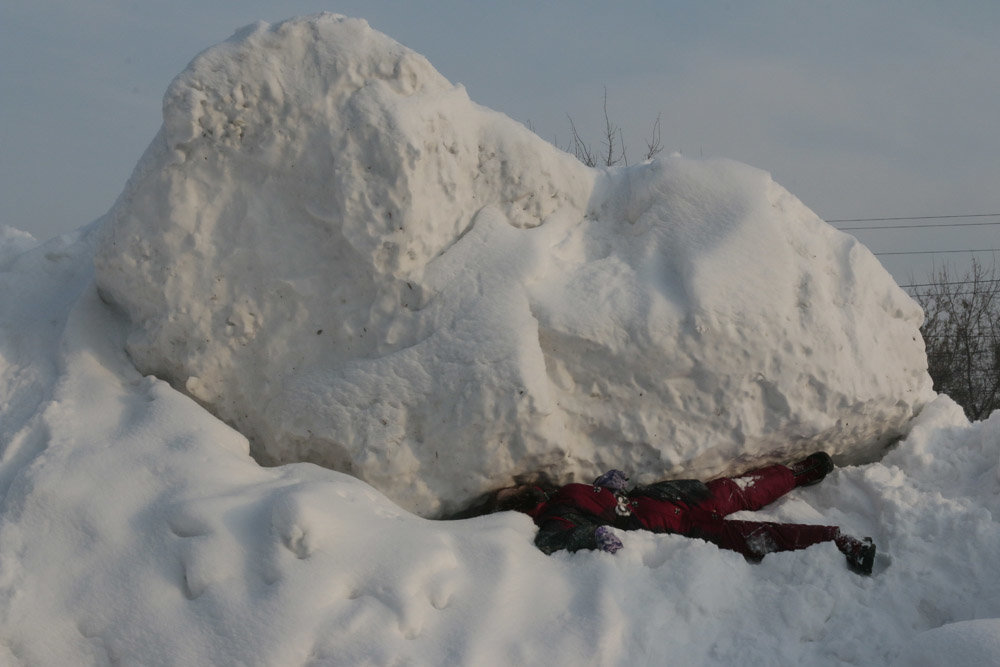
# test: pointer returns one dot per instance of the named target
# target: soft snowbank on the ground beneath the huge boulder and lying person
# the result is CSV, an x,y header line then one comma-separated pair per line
x,y
136,529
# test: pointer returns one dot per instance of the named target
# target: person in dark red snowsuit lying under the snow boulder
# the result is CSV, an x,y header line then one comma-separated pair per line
x,y
580,516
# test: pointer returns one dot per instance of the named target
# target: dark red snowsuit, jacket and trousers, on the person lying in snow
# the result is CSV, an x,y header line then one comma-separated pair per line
x,y
576,509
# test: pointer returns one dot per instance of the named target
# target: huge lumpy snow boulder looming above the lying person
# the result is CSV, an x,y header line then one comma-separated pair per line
x,y
333,249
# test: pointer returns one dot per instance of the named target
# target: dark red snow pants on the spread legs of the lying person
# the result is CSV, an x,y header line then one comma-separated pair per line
x,y
752,491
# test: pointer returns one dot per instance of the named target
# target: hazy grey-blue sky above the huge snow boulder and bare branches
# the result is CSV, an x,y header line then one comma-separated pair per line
x,y
861,109
